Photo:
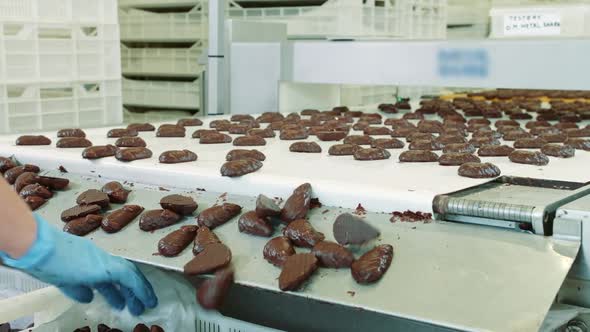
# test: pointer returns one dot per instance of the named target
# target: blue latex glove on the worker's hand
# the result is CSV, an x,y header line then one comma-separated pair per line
x,y
77,267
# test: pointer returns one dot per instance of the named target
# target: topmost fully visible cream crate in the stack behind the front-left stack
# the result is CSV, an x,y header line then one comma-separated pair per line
x,y
144,26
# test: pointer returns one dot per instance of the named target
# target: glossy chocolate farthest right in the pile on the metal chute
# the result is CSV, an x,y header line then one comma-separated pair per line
x,y
372,265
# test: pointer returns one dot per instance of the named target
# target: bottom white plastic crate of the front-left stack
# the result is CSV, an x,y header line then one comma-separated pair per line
x,y
44,106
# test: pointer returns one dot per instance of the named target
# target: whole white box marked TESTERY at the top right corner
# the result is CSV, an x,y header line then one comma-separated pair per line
x,y
544,20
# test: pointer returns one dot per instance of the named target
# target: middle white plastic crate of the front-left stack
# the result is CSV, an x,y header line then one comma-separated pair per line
x,y
43,52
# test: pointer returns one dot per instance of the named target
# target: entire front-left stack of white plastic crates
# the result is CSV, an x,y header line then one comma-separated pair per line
x,y
59,64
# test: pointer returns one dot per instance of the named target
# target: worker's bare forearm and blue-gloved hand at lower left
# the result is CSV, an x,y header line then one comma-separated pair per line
x,y
73,264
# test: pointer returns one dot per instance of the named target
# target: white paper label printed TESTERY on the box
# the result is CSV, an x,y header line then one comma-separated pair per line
x,y
532,24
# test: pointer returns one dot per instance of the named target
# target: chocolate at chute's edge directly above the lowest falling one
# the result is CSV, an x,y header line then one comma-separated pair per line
x,y
212,258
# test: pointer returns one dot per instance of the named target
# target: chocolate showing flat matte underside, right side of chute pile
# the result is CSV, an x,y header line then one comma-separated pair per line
x,y
349,229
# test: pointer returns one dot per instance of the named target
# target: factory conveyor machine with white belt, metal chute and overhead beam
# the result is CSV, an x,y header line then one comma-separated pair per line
x,y
509,254
